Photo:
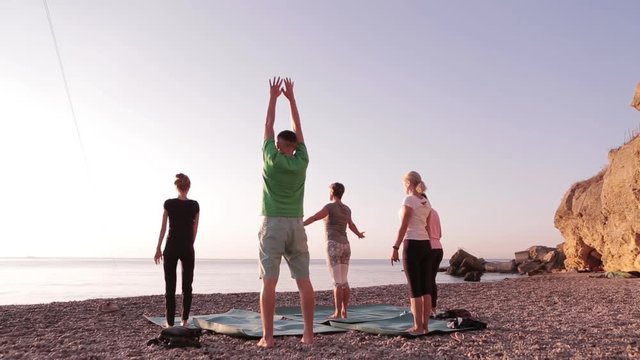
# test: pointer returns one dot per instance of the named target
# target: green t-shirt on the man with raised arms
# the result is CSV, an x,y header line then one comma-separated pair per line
x,y
283,180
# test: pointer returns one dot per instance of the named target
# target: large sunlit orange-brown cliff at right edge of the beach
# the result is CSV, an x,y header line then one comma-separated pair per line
x,y
599,218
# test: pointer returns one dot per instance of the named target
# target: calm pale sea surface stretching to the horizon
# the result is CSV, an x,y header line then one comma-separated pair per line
x,y
44,280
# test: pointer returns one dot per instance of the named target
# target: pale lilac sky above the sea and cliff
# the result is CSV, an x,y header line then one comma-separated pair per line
x,y
500,105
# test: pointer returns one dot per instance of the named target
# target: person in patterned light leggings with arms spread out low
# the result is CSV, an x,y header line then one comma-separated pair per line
x,y
337,216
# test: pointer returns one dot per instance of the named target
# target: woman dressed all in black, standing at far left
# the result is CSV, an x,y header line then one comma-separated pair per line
x,y
183,215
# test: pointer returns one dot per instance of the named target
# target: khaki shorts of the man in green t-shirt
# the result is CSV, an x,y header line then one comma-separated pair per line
x,y
283,236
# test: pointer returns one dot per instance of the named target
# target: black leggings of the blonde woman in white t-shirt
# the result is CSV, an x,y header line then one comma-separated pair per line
x,y
416,259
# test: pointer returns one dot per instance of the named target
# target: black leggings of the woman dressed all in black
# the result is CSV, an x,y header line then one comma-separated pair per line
x,y
187,259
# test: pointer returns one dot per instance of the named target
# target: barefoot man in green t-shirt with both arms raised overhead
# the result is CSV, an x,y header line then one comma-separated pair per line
x,y
282,233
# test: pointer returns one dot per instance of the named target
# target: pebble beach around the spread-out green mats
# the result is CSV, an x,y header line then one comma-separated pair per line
x,y
549,316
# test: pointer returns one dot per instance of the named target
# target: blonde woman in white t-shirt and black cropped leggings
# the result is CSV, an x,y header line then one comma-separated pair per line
x,y
416,250
